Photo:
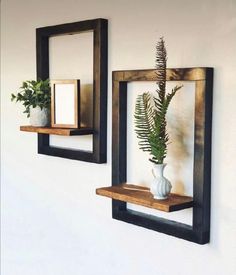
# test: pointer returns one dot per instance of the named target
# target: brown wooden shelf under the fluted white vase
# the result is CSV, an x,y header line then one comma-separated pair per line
x,y
142,196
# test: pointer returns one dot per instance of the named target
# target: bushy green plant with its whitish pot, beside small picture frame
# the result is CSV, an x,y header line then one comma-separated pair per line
x,y
36,98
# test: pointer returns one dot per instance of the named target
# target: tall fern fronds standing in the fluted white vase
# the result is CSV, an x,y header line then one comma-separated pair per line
x,y
150,112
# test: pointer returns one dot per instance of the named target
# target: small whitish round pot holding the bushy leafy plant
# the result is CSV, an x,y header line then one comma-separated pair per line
x,y
39,117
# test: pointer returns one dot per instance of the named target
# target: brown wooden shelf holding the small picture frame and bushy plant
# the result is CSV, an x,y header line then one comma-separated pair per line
x,y
58,131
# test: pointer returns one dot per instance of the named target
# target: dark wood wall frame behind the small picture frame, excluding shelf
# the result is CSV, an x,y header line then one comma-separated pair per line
x,y
99,28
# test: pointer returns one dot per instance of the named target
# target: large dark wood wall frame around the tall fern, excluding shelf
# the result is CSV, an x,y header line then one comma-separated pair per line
x,y
199,232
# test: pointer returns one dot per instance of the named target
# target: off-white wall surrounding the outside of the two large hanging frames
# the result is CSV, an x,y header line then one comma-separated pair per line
x,y
52,221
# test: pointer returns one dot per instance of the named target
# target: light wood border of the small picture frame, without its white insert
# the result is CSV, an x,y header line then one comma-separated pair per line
x,y
76,103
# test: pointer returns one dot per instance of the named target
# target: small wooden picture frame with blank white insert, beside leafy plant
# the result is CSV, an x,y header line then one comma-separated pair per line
x,y
65,103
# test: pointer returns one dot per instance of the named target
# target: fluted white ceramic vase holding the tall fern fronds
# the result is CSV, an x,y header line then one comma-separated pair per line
x,y
160,186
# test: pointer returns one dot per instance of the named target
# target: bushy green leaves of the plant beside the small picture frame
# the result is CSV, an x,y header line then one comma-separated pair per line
x,y
33,93
